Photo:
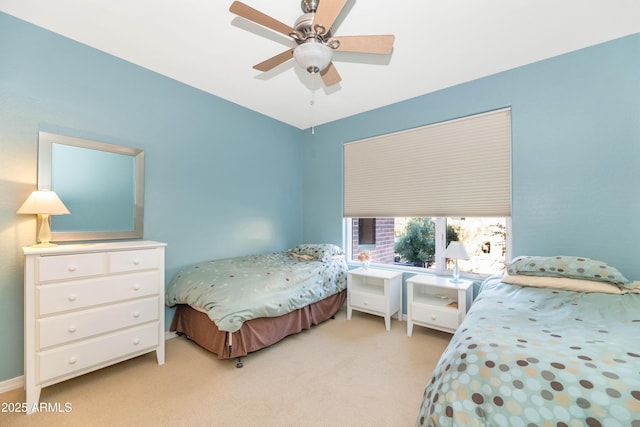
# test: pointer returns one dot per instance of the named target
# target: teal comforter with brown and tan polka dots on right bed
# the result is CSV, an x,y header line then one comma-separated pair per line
x,y
530,357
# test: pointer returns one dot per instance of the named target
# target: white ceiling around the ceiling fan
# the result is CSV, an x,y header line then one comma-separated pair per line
x,y
439,43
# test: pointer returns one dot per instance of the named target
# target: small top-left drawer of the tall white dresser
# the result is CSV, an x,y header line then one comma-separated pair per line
x,y
65,267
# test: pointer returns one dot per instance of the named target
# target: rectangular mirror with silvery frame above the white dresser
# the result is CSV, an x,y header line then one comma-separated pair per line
x,y
101,184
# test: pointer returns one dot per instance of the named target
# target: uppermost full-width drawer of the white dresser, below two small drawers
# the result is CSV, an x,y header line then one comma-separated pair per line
x,y
56,298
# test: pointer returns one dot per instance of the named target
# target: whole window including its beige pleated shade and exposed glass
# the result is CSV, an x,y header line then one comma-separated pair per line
x,y
432,185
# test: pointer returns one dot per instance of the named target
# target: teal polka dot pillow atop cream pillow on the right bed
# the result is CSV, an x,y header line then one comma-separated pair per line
x,y
567,266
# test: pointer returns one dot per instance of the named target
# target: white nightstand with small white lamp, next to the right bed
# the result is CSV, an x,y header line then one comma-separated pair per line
x,y
436,303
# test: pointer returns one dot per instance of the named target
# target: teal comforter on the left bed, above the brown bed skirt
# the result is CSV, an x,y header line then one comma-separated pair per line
x,y
234,290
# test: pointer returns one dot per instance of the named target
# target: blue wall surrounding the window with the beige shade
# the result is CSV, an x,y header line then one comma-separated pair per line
x,y
576,152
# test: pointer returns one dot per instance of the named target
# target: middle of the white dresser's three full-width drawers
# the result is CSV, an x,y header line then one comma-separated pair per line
x,y
84,324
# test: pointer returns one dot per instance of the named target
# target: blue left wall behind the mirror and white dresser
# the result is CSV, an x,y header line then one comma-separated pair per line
x,y
221,180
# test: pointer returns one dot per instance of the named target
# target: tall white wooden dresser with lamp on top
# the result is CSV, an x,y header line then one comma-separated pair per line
x,y
88,306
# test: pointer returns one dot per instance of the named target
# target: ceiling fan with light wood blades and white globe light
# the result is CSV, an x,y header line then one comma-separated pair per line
x,y
314,39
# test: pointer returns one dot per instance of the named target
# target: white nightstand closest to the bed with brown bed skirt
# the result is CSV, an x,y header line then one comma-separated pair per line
x,y
376,292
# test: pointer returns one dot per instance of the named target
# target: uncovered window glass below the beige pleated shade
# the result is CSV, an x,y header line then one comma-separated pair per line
x,y
417,243
